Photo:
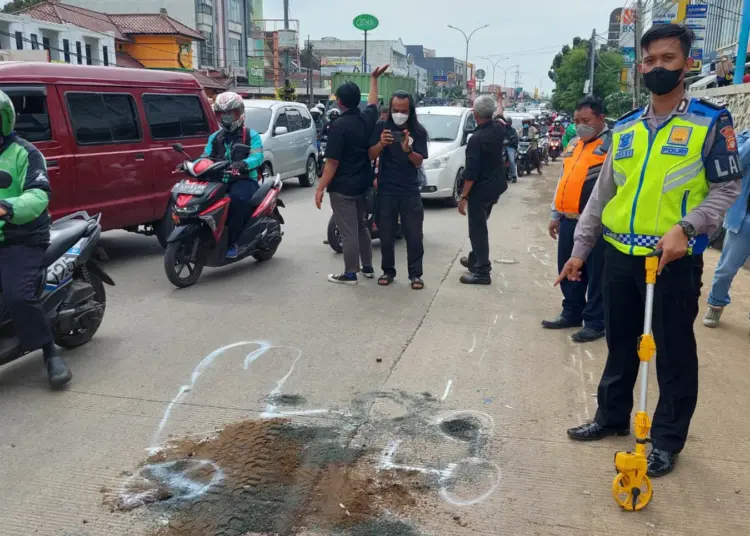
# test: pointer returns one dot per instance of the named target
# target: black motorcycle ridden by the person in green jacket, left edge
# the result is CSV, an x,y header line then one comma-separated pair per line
x,y
70,286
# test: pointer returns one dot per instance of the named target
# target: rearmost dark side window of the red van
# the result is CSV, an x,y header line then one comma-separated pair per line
x,y
175,116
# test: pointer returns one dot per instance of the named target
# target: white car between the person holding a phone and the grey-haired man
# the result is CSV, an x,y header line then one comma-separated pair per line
x,y
448,130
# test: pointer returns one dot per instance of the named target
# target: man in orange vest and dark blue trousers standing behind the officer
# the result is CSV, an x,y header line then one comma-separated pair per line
x,y
582,161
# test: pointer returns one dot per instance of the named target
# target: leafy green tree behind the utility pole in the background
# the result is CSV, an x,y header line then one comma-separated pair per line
x,y
571,71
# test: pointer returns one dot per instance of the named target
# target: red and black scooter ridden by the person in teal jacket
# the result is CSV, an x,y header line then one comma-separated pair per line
x,y
200,209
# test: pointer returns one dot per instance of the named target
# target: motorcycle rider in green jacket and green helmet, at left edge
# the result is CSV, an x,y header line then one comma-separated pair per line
x,y
24,237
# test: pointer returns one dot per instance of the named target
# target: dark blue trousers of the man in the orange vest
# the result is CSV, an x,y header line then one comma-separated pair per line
x,y
582,300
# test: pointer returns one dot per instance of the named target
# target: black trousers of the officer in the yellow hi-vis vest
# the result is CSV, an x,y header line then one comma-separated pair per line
x,y
675,310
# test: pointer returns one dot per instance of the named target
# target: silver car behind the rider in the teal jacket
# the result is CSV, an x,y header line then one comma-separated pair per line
x,y
290,145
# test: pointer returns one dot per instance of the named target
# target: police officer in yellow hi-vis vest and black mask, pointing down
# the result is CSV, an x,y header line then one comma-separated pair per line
x,y
670,176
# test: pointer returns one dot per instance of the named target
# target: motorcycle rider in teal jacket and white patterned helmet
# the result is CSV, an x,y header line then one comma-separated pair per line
x,y
230,110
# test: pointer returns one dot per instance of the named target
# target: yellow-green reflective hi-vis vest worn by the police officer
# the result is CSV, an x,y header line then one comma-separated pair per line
x,y
660,176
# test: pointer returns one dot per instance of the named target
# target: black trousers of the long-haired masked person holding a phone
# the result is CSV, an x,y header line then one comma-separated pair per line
x,y
409,210
